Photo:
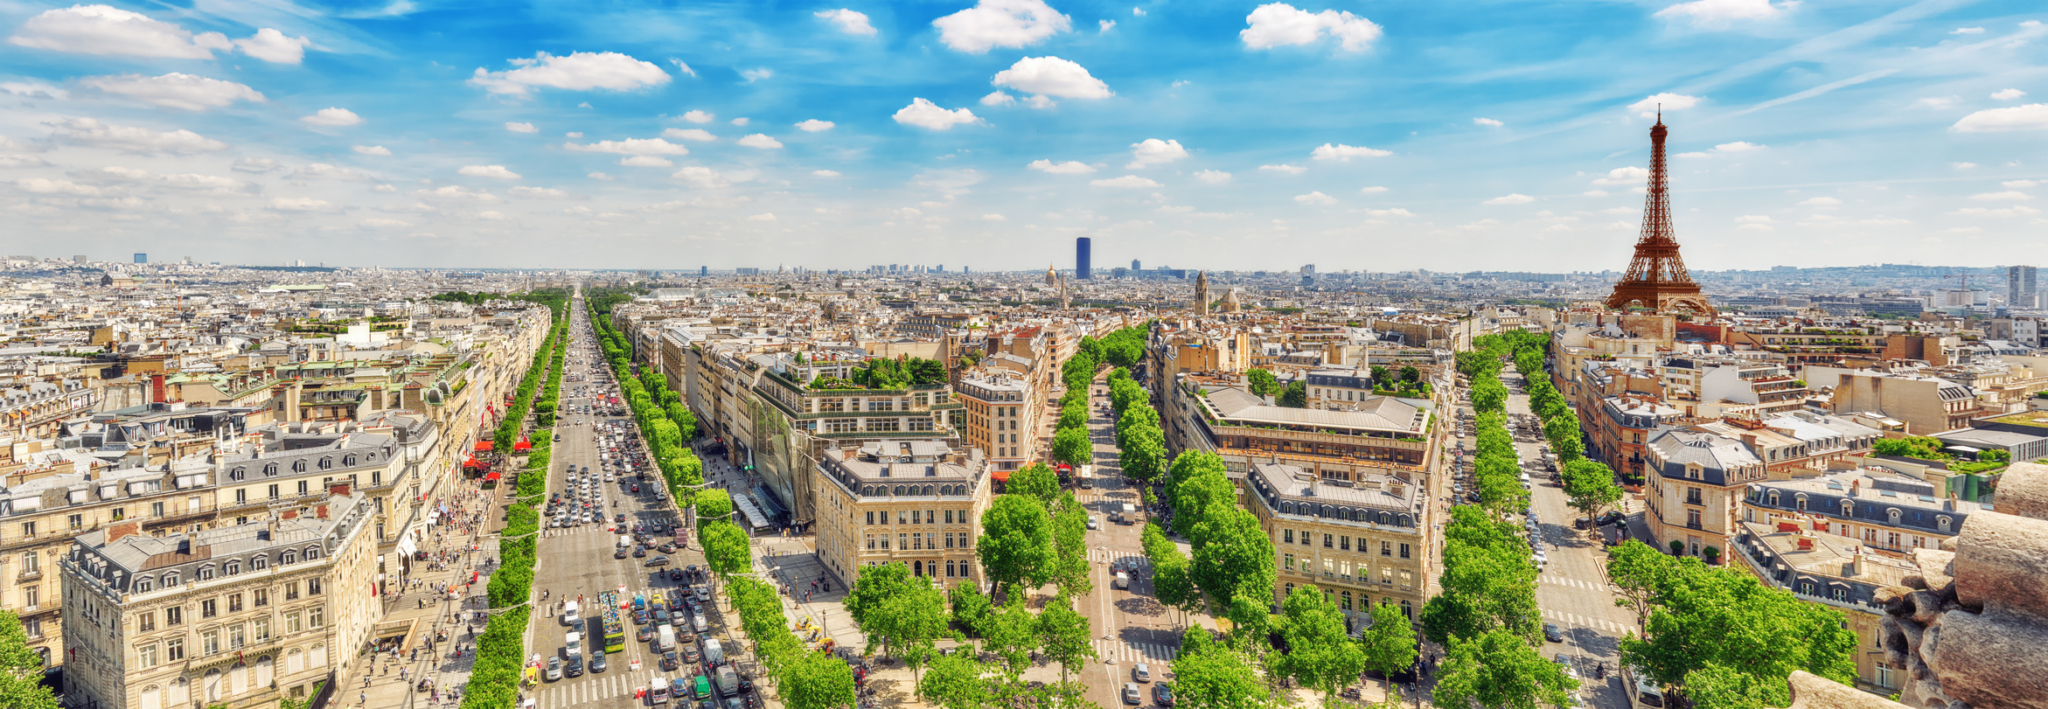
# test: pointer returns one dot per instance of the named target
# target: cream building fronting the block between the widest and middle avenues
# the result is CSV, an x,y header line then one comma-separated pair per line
x,y
919,503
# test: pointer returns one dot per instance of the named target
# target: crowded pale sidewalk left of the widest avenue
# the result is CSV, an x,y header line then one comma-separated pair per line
x,y
419,655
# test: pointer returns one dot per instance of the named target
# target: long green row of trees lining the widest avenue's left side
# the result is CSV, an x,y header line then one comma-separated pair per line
x,y
503,649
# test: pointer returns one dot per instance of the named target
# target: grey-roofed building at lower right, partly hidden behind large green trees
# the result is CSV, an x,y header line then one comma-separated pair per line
x,y
1836,573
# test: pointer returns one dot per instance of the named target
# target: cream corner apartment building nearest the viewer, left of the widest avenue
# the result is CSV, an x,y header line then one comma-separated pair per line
x,y
222,618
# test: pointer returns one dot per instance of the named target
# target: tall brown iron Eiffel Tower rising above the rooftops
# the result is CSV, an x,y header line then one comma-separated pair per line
x,y
1658,276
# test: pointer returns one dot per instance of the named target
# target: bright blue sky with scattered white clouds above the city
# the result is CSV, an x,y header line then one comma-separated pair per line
x,y
1449,136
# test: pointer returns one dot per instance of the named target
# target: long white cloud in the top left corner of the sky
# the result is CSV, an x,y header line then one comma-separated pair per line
x,y
110,32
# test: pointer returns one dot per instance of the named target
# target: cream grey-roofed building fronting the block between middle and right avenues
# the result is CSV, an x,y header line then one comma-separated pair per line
x,y
1359,540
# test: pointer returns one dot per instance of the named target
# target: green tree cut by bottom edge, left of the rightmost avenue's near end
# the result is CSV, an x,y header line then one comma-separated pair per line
x,y
1500,671
